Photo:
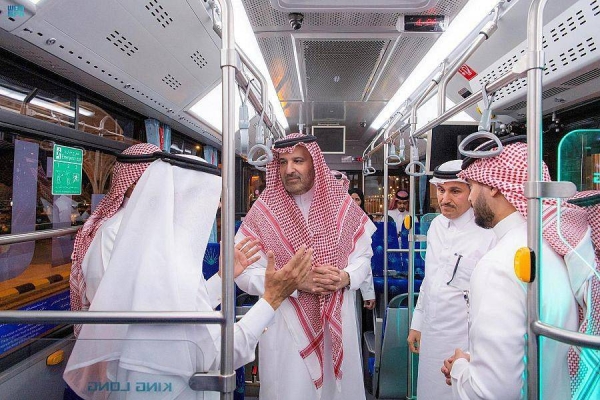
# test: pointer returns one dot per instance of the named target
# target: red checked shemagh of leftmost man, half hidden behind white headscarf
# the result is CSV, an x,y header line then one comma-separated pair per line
x,y
124,175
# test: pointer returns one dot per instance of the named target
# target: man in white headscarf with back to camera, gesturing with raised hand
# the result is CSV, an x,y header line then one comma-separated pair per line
x,y
153,267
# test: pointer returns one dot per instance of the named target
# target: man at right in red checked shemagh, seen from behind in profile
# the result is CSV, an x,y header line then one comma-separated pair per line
x,y
494,366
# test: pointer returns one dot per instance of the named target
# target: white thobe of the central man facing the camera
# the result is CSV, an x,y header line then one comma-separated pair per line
x,y
283,373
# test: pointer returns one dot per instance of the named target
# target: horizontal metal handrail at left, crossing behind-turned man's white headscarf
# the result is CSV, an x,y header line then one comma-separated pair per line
x,y
112,317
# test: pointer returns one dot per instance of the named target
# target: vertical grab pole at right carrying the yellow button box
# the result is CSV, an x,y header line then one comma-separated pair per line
x,y
535,61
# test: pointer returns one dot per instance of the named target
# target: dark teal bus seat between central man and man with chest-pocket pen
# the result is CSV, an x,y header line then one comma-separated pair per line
x,y
391,363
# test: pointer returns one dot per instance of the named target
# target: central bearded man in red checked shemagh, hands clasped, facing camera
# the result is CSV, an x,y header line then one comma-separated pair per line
x,y
311,350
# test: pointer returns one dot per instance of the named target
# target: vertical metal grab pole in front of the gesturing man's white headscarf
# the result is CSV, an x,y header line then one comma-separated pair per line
x,y
228,63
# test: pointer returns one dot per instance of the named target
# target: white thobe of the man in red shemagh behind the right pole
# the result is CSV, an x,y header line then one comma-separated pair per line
x,y
498,318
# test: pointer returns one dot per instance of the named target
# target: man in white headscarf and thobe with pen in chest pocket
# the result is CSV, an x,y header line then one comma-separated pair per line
x,y
454,245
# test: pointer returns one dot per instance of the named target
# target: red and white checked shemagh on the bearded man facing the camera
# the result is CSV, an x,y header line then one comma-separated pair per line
x,y
334,225
